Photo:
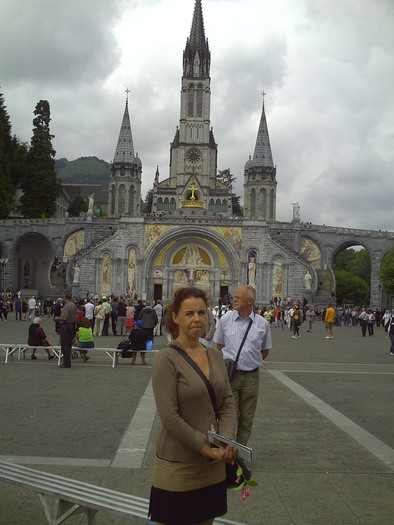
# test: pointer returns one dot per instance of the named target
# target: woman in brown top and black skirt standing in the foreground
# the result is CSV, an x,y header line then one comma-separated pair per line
x,y
189,484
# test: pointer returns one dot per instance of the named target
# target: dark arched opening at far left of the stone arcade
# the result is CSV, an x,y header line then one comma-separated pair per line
x,y
32,263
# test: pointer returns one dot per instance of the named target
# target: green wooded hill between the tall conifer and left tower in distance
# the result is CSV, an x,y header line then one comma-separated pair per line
x,y
85,170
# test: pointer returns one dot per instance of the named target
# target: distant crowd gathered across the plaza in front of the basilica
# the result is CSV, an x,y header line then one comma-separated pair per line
x,y
119,314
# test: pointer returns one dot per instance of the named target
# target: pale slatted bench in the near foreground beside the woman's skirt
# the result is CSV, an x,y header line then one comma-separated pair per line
x,y
76,497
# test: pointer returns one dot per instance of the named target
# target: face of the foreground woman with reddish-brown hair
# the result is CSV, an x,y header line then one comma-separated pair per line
x,y
192,317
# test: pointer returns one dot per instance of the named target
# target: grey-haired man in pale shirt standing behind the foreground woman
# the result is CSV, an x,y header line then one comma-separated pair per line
x,y
230,330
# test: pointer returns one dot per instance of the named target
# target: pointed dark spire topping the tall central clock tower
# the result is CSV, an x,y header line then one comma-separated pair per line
x,y
196,56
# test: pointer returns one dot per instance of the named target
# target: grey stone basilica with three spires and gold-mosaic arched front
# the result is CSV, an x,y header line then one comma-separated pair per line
x,y
191,236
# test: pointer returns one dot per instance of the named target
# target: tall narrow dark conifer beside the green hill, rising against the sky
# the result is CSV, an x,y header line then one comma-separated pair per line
x,y
40,185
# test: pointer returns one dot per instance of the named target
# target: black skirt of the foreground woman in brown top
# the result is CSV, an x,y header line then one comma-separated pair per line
x,y
186,508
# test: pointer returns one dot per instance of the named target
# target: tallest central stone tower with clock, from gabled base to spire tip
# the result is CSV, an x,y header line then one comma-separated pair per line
x,y
193,179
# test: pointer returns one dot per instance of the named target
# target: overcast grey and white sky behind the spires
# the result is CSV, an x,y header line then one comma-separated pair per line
x,y
327,67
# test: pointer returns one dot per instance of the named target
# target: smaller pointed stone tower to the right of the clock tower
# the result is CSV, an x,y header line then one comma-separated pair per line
x,y
260,177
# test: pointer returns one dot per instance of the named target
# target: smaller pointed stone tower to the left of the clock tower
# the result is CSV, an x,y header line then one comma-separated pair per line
x,y
125,174
